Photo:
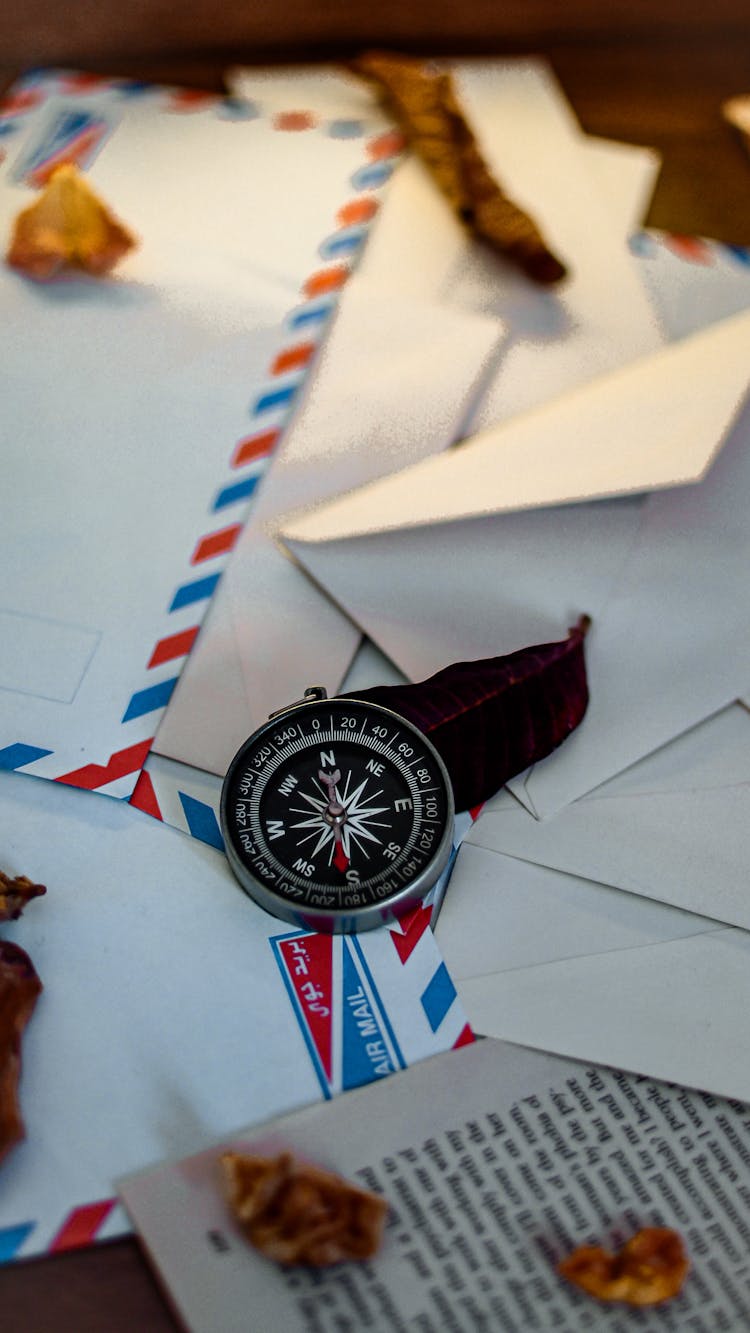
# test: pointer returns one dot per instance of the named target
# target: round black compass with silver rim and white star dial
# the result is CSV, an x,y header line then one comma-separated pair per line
x,y
338,815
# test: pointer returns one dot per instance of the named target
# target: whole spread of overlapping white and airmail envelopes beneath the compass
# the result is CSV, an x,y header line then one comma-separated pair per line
x,y
280,371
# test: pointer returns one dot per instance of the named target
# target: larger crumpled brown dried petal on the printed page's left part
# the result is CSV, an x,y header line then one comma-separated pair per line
x,y
295,1214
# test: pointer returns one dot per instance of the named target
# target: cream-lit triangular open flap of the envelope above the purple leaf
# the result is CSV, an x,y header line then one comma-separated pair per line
x,y
659,422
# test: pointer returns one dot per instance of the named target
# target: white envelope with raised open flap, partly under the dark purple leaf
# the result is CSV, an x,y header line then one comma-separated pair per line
x,y
663,578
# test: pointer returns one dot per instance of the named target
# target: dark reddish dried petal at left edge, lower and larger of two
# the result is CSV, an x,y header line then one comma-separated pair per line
x,y
19,991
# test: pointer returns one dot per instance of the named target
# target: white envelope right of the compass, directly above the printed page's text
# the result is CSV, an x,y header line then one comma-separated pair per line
x,y
554,962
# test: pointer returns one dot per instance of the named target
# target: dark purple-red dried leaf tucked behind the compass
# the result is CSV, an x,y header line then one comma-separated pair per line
x,y
491,719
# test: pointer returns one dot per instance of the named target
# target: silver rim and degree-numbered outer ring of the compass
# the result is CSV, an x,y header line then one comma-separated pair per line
x,y
332,907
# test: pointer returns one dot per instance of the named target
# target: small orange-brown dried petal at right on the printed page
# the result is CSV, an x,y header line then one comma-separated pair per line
x,y
651,1268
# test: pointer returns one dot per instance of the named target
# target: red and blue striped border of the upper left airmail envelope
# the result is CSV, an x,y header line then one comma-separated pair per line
x,y
303,333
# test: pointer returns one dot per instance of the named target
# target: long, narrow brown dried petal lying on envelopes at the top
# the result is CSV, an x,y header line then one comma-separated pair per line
x,y
427,106
